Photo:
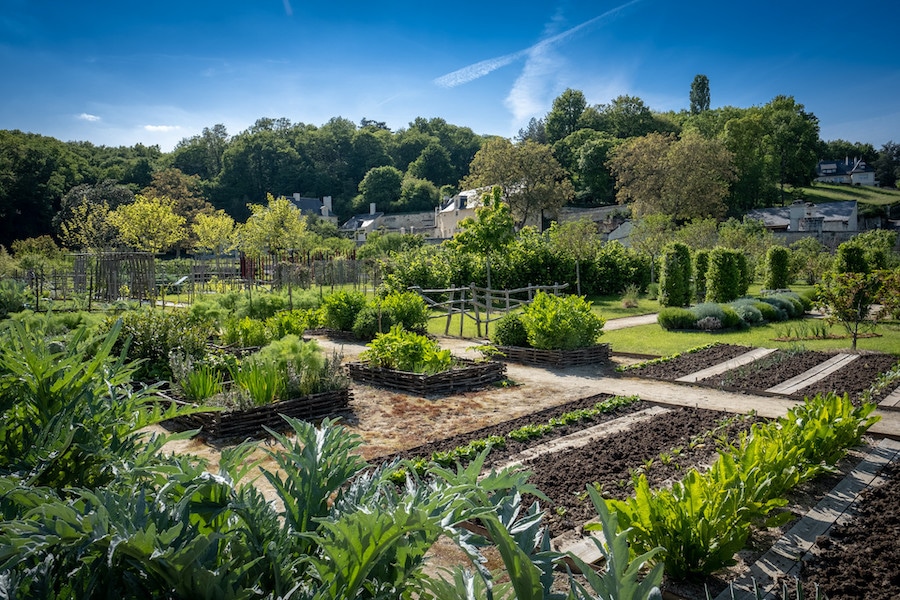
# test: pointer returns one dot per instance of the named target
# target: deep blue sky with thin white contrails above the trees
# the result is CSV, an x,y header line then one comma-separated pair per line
x,y
120,73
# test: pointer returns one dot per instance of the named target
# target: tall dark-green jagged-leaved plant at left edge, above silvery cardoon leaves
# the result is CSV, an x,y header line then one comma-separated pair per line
x,y
69,414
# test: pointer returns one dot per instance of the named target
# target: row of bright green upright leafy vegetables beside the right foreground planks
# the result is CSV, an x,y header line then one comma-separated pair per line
x,y
704,519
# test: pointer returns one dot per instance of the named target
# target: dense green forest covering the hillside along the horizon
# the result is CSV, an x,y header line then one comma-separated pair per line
x,y
700,162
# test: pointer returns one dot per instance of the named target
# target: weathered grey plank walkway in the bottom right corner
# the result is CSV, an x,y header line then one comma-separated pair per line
x,y
787,555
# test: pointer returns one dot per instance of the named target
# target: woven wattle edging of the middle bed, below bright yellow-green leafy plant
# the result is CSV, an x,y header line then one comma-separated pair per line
x,y
466,375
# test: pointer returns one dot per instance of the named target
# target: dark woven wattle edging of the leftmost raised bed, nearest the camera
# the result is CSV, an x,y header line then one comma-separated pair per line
x,y
252,421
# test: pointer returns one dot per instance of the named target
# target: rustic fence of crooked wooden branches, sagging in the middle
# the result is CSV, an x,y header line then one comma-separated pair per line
x,y
481,305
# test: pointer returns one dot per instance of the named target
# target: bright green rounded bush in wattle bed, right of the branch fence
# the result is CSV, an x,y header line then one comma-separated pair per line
x,y
561,322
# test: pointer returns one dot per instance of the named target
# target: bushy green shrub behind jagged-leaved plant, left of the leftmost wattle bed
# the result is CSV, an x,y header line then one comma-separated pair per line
x,y
151,335
